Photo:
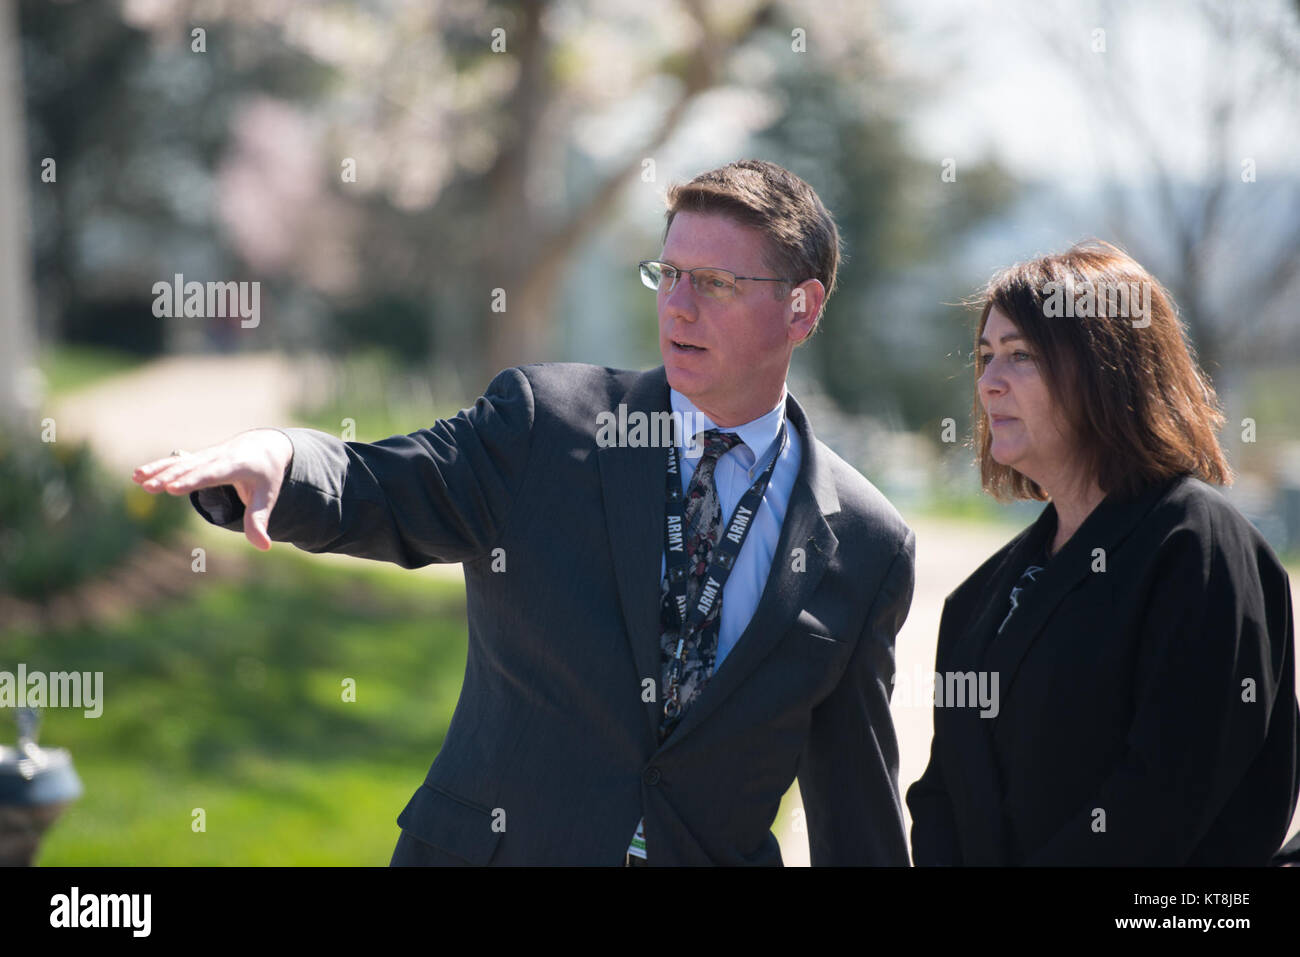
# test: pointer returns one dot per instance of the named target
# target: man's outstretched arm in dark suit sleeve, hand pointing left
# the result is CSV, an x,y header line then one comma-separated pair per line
x,y
440,495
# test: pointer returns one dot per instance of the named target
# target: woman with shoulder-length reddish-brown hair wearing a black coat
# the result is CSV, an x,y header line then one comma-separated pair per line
x,y
1139,633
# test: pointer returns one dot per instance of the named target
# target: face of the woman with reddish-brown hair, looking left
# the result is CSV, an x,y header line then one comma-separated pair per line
x,y
1028,428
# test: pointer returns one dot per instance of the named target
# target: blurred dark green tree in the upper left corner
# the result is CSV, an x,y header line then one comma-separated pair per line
x,y
133,125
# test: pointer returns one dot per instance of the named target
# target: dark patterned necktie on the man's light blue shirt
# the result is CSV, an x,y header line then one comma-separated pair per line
x,y
704,521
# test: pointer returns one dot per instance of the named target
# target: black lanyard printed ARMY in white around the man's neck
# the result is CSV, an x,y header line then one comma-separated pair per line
x,y
723,560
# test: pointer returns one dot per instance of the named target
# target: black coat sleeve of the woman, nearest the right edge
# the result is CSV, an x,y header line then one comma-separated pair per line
x,y
1204,631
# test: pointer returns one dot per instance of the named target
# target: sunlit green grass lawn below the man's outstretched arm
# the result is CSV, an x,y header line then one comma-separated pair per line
x,y
231,701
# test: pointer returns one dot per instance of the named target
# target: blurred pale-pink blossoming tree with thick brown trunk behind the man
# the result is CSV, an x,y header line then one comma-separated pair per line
x,y
457,128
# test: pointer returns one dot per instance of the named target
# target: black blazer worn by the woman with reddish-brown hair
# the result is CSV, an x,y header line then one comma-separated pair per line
x,y
1146,708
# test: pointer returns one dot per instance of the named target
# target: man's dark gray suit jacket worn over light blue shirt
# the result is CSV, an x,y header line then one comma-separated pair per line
x,y
553,738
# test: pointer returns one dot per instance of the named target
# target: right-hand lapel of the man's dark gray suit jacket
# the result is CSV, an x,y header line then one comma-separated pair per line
x,y
805,526
